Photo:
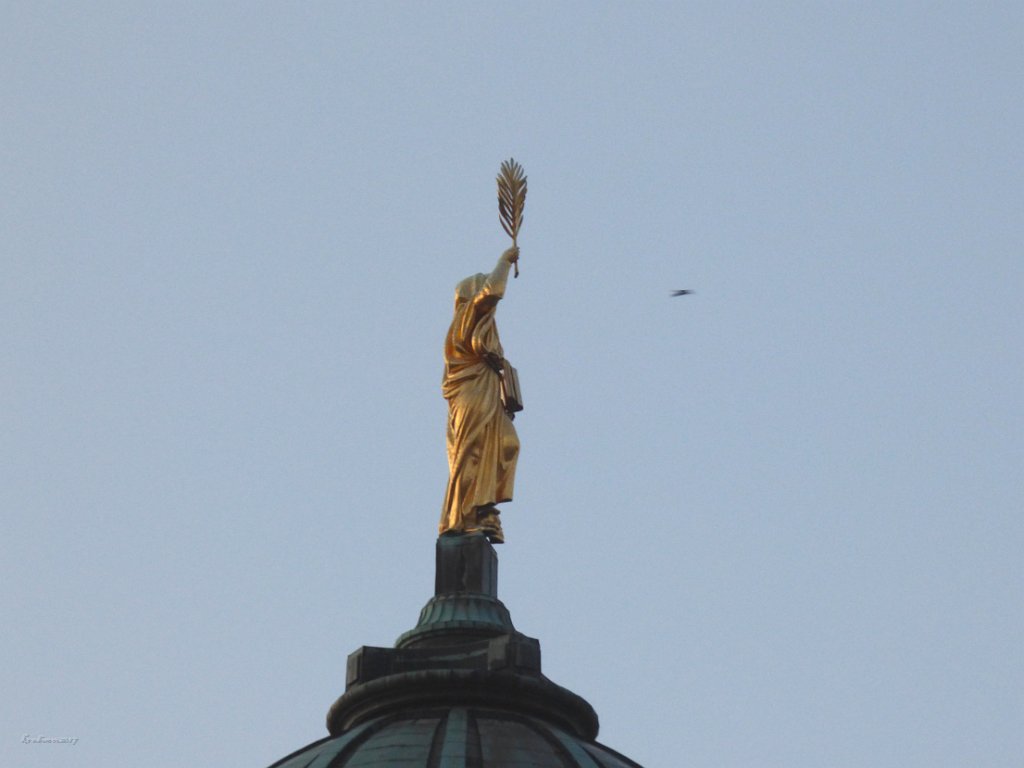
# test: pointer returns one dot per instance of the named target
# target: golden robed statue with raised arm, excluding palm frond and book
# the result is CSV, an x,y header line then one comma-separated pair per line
x,y
483,446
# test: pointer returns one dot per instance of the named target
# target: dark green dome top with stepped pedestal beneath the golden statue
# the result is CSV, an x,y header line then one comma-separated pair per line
x,y
462,690
